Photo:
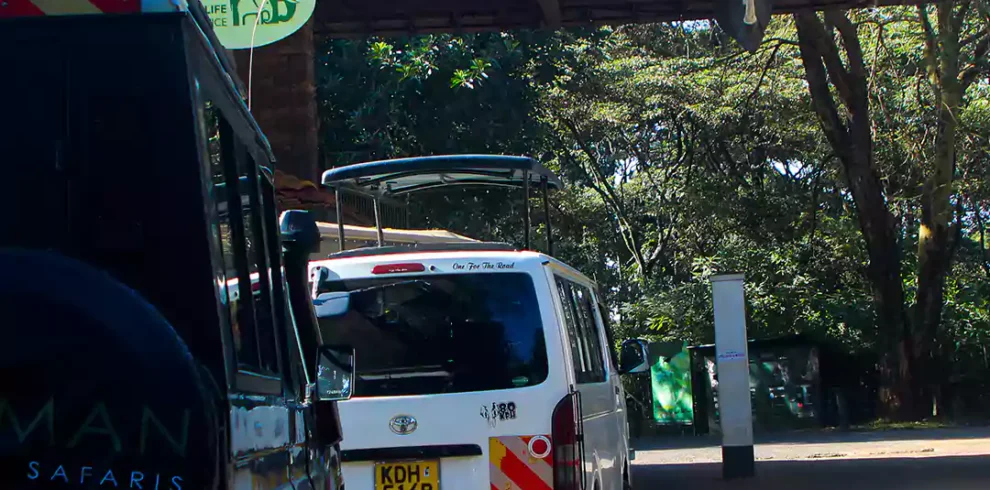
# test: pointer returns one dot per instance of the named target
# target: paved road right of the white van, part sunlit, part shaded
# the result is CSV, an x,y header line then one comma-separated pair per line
x,y
945,459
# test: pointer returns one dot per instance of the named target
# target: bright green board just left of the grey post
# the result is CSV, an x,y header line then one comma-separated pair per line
x,y
670,375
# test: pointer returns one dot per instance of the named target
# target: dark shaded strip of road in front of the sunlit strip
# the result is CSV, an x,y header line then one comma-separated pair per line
x,y
928,473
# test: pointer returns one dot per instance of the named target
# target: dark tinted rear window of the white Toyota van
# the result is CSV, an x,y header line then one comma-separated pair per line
x,y
450,333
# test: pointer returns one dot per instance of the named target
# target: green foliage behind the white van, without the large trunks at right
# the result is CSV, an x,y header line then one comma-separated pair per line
x,y
685,157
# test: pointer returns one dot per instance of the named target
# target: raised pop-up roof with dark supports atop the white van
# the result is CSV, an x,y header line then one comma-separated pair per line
x,y
404,176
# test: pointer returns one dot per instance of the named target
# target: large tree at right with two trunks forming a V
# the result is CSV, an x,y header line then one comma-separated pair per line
x,y
952,57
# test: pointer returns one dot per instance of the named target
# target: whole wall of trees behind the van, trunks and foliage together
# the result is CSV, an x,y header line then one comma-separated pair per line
x,y
842,167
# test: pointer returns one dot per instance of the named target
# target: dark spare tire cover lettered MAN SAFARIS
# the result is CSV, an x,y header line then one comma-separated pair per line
x,y
95,384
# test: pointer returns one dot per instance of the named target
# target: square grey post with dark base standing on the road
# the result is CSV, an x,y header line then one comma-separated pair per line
x,y
732,361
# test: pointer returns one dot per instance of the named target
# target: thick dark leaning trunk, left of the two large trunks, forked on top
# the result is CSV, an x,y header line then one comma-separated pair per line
x,y
851,138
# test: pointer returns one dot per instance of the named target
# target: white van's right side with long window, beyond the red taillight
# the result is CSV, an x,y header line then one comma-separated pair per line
x,y
594,382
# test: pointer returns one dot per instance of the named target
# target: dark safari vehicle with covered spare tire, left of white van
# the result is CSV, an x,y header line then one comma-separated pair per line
x,y
157,330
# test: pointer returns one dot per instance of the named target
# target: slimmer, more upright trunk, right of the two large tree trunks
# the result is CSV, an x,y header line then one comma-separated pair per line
x,y
934,235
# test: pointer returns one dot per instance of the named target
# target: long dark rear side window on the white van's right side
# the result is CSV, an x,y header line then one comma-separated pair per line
x,y
582,332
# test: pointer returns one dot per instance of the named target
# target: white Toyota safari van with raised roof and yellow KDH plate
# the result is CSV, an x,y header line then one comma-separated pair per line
x,y
478,365
